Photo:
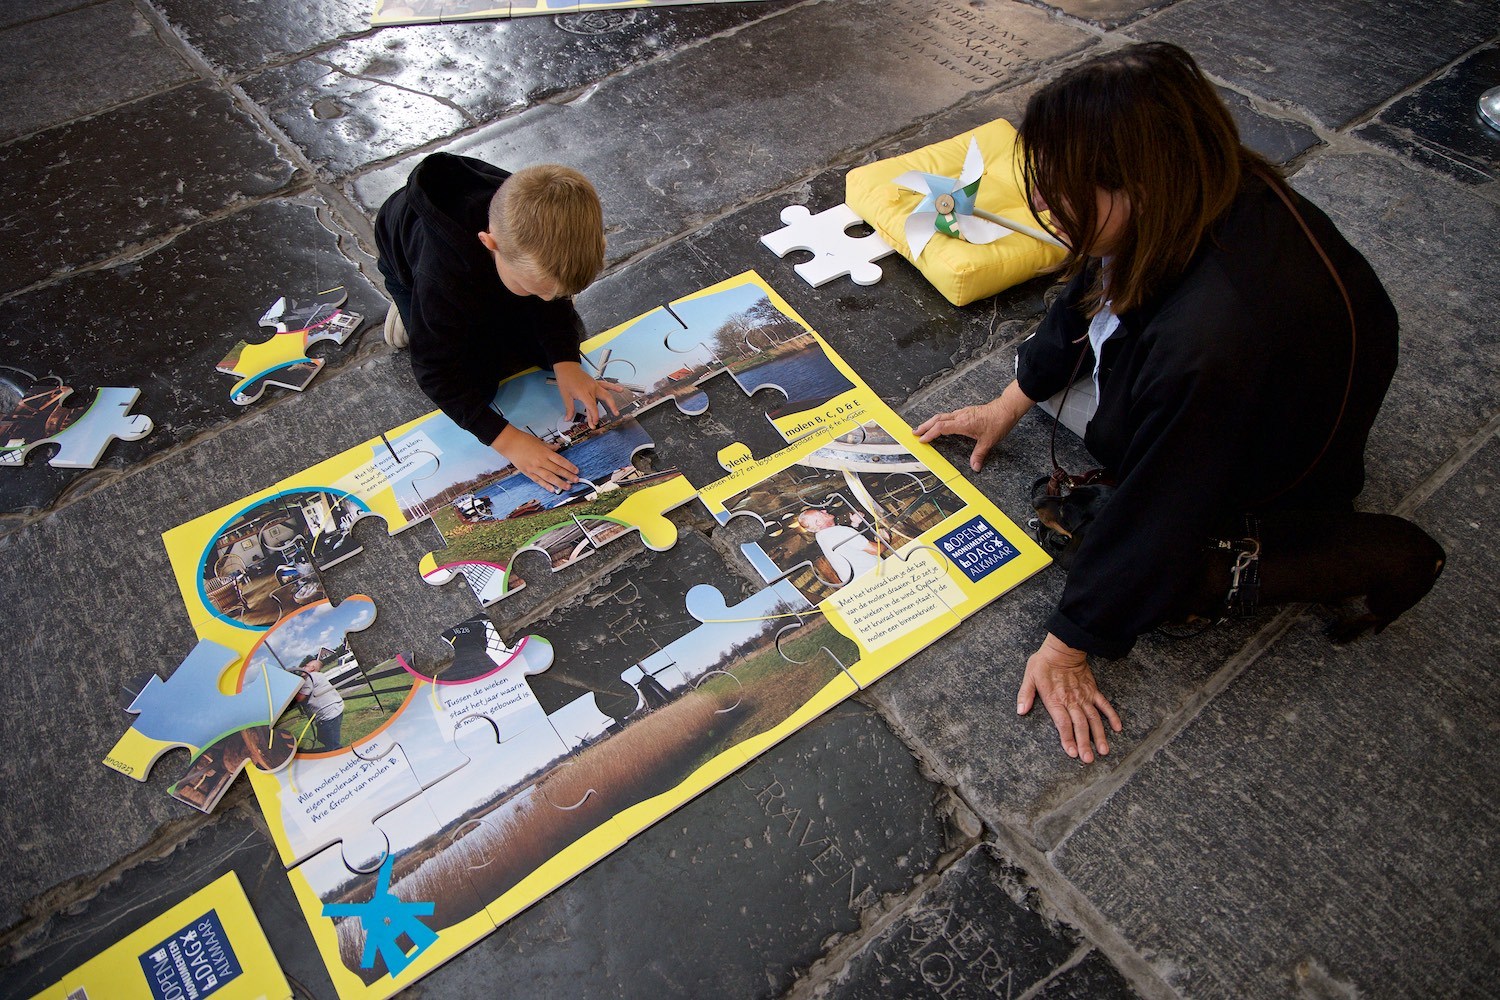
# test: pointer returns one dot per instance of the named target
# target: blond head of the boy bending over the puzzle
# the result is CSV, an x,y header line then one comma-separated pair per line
x,y
547,220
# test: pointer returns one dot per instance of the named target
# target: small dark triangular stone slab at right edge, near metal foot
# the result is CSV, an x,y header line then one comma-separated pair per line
x,y
1439,124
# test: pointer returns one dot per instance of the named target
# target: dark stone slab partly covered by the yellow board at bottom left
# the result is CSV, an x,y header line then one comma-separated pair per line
x,y
230,843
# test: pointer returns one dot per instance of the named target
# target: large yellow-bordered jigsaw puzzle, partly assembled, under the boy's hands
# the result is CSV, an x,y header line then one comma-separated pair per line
x,y
452,800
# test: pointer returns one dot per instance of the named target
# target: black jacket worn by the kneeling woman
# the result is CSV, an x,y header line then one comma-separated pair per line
x,y
1216,397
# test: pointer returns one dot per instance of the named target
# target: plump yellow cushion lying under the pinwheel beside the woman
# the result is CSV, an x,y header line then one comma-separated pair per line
x,y
962,272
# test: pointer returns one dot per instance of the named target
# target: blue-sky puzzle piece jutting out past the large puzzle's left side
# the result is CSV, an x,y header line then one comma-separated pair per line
x,y
206,707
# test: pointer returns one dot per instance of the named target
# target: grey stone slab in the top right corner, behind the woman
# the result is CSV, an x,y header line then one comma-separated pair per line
x,y
1339,59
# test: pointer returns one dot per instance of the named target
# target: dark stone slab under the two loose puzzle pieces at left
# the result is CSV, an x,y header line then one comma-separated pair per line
x,y
161,323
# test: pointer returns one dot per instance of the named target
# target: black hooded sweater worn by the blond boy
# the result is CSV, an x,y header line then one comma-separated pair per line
x,y
467,329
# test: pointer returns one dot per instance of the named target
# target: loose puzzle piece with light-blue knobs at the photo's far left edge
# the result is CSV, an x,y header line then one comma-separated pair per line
x,y
82,434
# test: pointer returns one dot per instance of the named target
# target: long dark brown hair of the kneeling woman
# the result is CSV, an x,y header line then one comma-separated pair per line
x,y
1145,122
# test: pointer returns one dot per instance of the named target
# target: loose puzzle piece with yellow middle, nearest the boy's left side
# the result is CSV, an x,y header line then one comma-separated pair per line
x,y
284,361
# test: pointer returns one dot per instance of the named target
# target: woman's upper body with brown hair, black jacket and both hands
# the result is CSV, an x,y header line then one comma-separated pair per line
x,y
1222,346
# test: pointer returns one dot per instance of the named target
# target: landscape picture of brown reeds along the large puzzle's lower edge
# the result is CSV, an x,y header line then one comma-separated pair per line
x,y
485,833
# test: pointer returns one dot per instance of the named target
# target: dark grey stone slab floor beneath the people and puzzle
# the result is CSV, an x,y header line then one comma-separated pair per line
x,y
1280,818
